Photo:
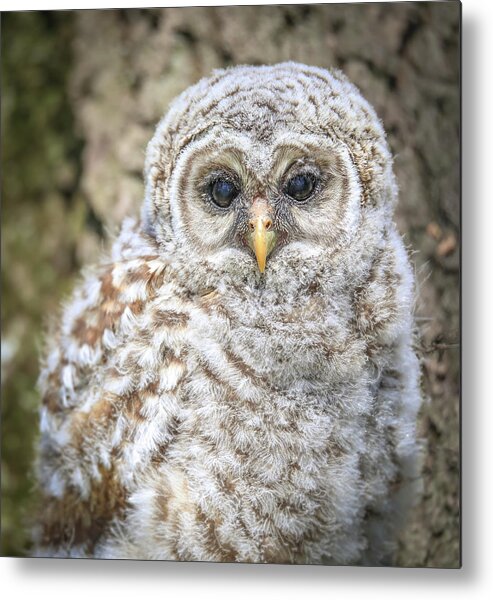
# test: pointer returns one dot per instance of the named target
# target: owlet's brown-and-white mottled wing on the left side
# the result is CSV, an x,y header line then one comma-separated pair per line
x,y
103,371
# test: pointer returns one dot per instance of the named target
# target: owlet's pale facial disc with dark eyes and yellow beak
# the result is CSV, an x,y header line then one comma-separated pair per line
x,y
239,199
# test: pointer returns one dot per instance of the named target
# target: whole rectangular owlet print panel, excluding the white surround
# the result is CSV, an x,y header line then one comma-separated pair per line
x,y
231,256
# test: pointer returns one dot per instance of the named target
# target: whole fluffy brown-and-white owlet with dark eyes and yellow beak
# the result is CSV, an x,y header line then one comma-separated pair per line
x,y
236,382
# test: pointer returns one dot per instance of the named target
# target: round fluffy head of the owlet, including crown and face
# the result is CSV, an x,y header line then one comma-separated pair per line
x,y
259,169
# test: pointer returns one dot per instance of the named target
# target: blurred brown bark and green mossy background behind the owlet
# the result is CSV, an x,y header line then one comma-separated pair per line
x,y
81,94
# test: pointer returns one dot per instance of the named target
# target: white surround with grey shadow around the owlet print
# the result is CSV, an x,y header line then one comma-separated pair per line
x,y
53,579
